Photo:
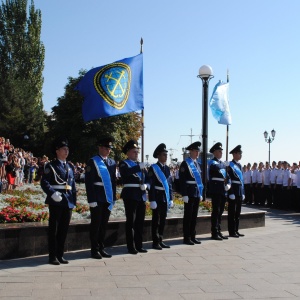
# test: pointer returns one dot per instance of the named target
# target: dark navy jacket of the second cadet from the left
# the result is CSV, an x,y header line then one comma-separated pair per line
x,y
96,193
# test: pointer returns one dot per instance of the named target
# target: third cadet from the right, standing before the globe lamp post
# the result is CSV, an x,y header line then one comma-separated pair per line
x,y
191,190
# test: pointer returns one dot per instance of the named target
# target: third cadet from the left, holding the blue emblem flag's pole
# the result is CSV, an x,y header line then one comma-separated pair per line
x,y
135,182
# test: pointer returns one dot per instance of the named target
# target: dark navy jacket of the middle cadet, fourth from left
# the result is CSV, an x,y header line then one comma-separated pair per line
x,y
159,195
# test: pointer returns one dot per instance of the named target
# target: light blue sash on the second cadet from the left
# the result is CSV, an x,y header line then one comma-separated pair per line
x,y
105,176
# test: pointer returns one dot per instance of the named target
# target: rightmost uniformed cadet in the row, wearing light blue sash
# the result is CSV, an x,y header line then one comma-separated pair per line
x,y
236,193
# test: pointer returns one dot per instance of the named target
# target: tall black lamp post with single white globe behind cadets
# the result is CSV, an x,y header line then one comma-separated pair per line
x,y
205,73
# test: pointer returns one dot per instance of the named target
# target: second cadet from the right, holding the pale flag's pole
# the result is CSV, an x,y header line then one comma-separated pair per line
x,y
217,188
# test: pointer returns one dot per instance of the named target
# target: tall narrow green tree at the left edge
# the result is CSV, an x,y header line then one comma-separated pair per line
x,y
21,66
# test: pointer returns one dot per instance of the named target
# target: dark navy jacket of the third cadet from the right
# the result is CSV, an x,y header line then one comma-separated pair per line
x,y
185,176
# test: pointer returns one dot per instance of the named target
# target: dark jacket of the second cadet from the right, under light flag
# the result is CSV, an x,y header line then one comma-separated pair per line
x,y
216,179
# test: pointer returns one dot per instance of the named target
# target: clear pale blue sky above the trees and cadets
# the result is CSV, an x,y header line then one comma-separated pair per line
x,y
257,41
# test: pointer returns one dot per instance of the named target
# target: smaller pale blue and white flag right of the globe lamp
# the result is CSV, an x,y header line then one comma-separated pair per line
x,y
219,103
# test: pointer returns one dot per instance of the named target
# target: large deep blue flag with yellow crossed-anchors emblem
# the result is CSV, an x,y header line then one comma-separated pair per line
x,y
113,89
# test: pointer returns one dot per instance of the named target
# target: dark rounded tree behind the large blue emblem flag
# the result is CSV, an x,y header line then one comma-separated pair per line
x,y
66,120
